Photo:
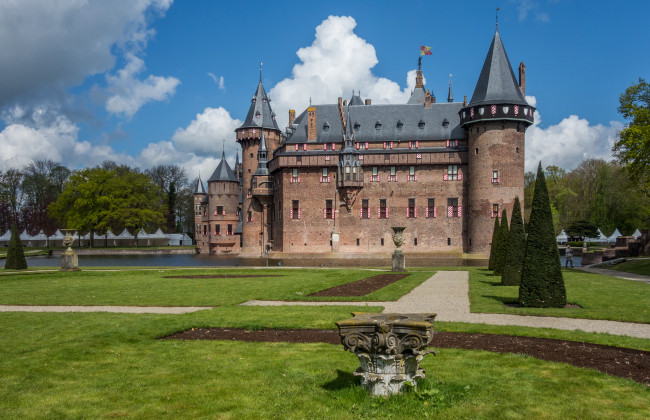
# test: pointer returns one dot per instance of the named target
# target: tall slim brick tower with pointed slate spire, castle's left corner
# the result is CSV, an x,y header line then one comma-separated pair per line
x,y
260,118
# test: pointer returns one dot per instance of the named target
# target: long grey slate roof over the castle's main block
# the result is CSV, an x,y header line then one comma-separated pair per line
x,y
379,123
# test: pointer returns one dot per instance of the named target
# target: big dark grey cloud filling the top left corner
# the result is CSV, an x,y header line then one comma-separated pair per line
x,y
49,46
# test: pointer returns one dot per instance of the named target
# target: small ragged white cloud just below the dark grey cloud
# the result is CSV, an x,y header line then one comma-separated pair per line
x,y
129,94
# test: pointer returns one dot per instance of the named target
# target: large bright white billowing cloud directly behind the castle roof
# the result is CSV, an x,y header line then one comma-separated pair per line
x,y
337,62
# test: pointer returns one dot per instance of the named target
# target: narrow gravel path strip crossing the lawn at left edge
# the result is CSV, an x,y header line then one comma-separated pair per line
x,y
116,309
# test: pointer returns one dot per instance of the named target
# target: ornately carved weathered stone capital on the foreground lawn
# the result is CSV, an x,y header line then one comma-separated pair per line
x,y
390,348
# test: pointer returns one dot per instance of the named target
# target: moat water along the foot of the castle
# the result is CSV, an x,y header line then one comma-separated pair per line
x,y
190,260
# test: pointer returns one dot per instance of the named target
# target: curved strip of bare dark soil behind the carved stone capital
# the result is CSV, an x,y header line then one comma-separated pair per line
x,y
615,361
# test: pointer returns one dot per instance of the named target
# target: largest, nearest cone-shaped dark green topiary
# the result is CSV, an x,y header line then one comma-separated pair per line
x,y
542,284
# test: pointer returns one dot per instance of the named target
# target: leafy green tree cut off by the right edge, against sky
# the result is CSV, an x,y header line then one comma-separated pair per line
x,y
633,146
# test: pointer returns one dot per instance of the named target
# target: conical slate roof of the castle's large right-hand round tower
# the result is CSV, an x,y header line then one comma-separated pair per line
x,y
497,83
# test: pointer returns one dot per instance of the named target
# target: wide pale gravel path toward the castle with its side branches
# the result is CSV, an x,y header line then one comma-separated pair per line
x,y
446,293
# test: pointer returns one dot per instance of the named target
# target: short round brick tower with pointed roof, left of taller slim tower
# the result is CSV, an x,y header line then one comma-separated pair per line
x,y
222,214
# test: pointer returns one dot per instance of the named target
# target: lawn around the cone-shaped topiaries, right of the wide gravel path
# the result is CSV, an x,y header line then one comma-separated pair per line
x,y
600,297
